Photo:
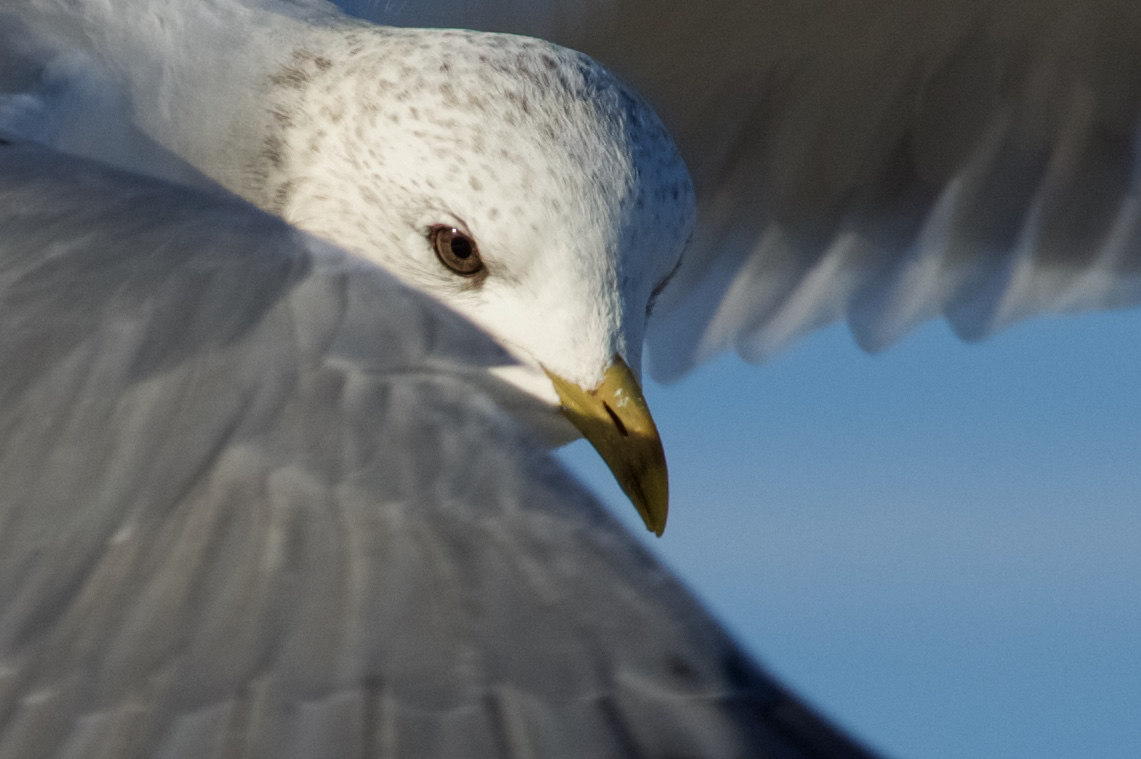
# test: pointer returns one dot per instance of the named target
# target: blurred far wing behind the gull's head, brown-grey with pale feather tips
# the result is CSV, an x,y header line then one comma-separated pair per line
x,y
883,162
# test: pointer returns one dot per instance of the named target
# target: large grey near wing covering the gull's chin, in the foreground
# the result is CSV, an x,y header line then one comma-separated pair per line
x,y
260,500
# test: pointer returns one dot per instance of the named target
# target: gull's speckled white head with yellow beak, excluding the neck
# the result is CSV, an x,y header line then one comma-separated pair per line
x,y
520,183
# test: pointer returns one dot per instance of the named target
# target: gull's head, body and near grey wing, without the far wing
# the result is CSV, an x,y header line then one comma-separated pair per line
x,y
274,480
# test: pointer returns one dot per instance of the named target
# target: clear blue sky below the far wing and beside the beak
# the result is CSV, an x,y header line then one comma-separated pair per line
x,y
940,546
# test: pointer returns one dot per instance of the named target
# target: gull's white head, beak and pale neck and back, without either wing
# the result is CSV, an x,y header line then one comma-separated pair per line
x,y
507,176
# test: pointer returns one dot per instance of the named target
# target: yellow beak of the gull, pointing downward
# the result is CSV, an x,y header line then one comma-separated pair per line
x,y
617,422
